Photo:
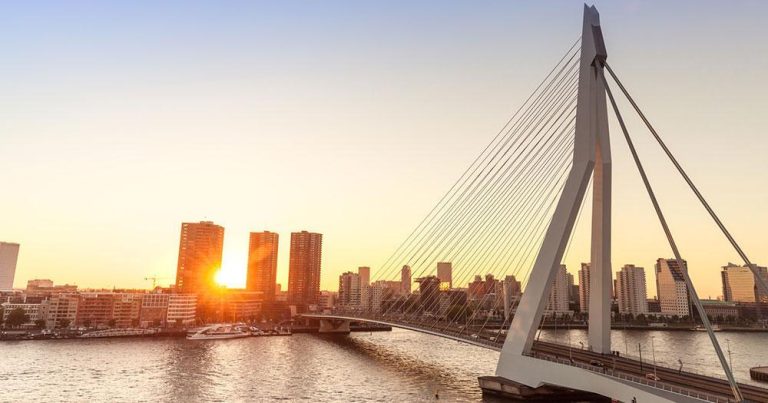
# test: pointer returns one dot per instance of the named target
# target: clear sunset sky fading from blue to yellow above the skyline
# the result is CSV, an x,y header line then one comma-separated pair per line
x,y
120,121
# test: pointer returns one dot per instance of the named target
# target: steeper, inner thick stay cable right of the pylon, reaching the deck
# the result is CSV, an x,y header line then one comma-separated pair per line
x,y
673,245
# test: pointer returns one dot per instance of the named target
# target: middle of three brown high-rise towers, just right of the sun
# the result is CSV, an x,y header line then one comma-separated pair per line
x,y
262,264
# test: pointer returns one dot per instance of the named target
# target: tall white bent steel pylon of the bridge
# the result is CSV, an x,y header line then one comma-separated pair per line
x,y
591,160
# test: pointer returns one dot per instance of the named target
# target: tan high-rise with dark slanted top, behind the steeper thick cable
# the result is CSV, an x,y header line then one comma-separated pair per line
x,y
670,287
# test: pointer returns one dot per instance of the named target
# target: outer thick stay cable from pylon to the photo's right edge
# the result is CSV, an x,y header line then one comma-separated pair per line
x,y
758,279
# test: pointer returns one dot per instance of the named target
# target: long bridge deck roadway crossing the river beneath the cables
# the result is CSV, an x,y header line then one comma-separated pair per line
x,y
699,386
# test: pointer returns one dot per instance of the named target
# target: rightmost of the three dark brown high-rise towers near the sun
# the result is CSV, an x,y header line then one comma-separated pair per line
x,y
304,268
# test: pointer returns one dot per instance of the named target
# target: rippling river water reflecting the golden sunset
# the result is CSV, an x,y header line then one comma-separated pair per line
x,y
362,367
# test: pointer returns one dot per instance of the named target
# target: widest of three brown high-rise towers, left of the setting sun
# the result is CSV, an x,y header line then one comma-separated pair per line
x,y
200,251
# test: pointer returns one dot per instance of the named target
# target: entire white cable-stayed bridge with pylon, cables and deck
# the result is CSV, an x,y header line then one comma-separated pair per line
x,y
511,215
